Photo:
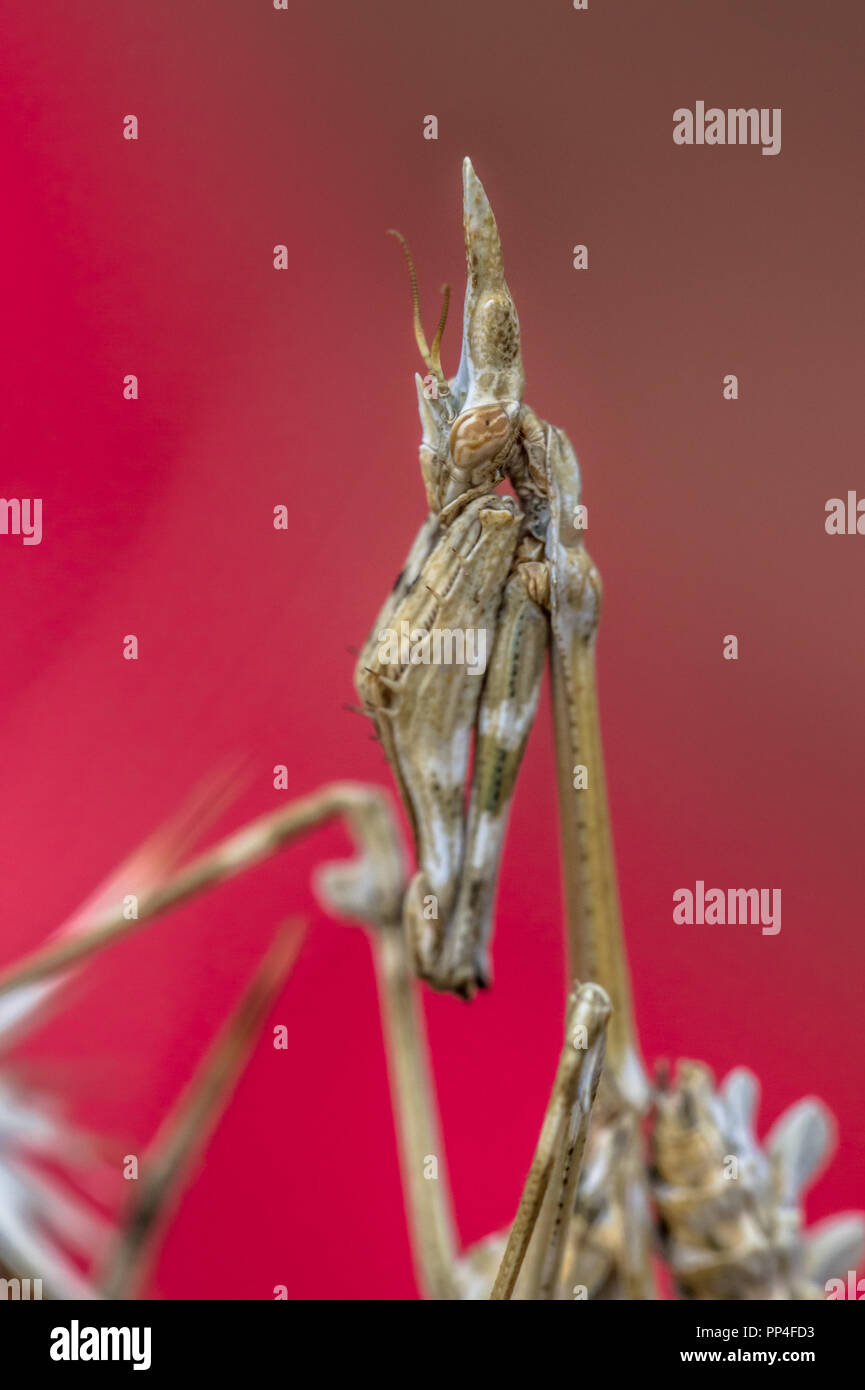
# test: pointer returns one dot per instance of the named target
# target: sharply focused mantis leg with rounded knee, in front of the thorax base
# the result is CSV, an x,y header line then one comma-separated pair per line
x,y
561,1143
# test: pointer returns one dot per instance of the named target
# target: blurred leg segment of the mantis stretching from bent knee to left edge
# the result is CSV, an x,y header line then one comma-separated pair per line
x,y
232,857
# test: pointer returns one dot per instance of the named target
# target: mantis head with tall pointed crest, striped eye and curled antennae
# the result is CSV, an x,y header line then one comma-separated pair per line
x,y
471,422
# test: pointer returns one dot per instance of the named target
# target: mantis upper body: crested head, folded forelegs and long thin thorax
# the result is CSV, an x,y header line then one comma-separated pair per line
x,y
518,569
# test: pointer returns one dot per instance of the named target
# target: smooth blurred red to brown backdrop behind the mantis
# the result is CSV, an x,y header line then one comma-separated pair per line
x,y
261,387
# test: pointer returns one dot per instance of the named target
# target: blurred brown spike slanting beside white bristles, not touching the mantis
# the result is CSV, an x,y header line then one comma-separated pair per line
x,y
186,1131
